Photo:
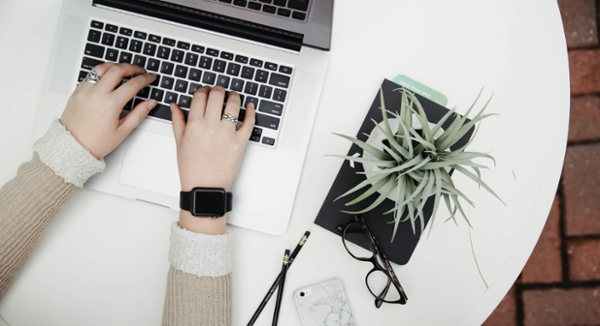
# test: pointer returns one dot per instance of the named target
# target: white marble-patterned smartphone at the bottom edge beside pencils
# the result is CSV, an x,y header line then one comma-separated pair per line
x,y
324,303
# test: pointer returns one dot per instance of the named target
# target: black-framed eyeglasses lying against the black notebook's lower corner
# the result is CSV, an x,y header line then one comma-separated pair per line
x,y
387,269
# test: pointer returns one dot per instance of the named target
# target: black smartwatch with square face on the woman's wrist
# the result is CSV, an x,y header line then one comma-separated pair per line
x,y
206,202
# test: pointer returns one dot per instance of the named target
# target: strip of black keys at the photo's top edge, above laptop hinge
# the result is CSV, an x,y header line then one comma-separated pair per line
x,y
292,9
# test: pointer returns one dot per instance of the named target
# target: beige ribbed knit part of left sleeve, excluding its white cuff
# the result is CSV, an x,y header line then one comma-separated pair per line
x,y
28,203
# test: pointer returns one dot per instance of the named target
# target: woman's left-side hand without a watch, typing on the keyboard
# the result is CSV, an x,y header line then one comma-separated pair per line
x,y
93,111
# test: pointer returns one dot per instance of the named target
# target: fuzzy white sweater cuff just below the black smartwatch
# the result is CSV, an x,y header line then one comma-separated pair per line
x,y
200,254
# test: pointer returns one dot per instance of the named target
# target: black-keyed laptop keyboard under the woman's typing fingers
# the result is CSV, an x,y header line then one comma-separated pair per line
x,y
182,67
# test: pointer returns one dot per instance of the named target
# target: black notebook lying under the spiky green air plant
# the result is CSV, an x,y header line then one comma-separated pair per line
x,y
331,216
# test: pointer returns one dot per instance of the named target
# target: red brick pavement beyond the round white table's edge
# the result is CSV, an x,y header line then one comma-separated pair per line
x,y
560,285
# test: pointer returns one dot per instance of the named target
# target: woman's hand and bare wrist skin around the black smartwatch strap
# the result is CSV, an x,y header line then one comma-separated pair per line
x,y
209,148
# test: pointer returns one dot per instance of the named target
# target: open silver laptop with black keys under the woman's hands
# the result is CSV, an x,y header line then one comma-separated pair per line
x,y
274,53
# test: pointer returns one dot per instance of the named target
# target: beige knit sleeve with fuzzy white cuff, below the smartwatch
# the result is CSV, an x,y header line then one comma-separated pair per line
x,y
199,281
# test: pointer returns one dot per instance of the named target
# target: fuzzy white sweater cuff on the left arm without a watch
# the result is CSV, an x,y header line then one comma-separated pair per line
x,y
60,151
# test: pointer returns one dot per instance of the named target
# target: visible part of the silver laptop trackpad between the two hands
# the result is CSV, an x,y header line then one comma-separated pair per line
x,y
150,163
